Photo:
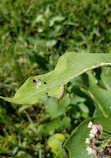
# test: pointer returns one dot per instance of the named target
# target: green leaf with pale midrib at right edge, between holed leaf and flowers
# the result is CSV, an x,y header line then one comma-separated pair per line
x,y
100,96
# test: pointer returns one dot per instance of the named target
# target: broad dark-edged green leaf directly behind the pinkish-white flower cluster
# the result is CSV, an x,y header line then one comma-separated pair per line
x,y
76,143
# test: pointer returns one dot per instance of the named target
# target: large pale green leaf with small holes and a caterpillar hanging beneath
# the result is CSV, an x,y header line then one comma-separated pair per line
x,y
69,66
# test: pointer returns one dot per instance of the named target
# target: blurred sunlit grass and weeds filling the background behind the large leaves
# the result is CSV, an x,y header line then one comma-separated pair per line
x,y
33,34
